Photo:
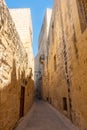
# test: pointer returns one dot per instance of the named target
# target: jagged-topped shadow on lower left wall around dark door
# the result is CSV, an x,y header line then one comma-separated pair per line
x,y
15,99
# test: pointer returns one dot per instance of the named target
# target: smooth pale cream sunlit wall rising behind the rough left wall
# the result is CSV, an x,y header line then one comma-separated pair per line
x,y
23,23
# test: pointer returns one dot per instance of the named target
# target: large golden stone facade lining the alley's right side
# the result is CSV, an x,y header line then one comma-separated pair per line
x,y
67,61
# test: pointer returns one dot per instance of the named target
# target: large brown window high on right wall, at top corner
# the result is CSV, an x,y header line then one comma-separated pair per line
x,y
82,9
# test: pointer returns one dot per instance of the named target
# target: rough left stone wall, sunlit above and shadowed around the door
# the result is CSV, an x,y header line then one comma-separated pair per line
x,y
16,80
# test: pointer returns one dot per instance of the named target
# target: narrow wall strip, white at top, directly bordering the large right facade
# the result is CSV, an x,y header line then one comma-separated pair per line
x,y
45,49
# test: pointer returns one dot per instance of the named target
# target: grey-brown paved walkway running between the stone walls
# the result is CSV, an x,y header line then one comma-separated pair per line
x,y
42,116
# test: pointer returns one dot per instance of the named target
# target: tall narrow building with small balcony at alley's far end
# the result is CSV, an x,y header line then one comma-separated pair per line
x,y
42,52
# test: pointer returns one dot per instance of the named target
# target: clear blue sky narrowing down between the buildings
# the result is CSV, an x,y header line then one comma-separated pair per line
x,y
38,8
